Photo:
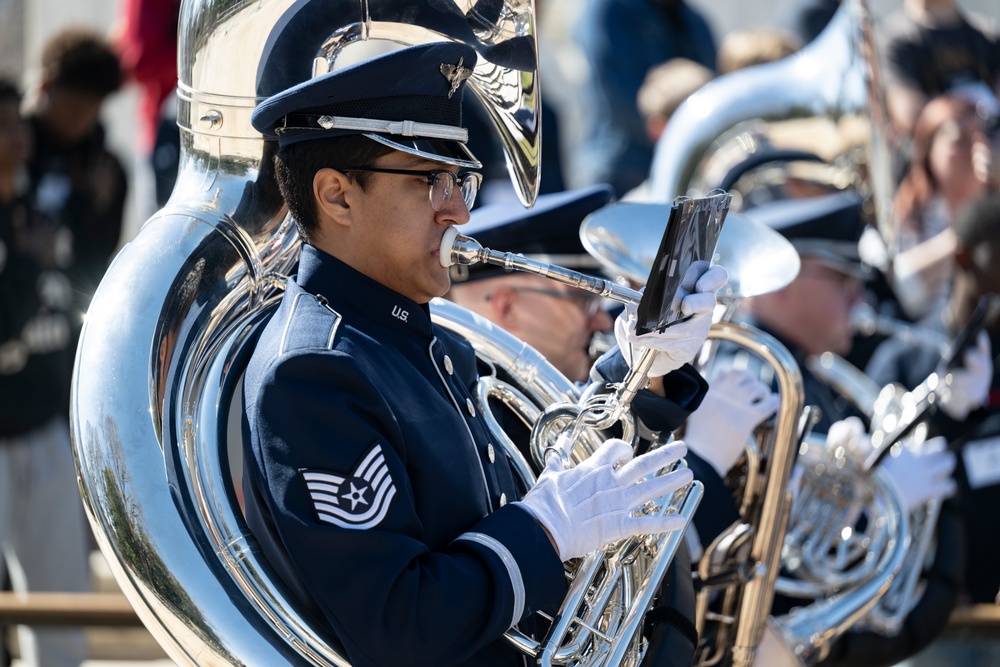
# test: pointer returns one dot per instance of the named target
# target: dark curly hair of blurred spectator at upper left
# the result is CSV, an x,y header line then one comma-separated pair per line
x,y
82,60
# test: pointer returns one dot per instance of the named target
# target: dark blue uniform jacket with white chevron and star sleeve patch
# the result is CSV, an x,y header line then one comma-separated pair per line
x,y
372,482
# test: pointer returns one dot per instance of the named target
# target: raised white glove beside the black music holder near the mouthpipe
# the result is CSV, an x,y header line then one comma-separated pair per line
x,y
678,343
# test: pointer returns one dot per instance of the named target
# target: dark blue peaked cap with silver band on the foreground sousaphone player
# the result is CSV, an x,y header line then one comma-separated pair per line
x,y
409,99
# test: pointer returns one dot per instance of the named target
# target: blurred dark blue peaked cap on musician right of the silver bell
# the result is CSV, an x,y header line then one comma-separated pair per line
x,y
827,227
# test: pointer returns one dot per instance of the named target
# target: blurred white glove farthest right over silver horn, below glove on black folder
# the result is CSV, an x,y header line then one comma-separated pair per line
x,y
922,472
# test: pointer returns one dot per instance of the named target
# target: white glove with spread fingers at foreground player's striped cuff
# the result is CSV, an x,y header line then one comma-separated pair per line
x,y
586,507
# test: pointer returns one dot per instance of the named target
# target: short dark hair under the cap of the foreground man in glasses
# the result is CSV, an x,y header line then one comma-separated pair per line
x,y
296,165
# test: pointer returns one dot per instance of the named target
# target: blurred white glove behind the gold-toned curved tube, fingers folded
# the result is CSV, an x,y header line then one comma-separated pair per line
x,y
735,404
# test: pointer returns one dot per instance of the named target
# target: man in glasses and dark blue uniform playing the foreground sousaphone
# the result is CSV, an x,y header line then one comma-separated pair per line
x,y
371,482
